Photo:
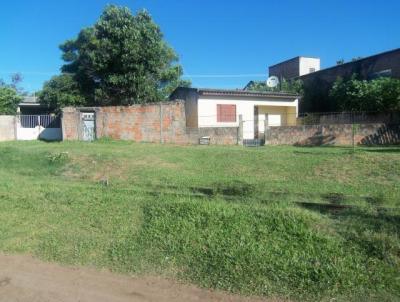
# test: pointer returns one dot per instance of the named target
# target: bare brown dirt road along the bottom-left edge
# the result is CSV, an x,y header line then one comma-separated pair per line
x,y
23,278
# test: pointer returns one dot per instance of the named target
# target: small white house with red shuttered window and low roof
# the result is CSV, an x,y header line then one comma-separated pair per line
x,y
222,108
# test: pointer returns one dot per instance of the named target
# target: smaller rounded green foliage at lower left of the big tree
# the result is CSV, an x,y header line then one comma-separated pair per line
x,y
61,91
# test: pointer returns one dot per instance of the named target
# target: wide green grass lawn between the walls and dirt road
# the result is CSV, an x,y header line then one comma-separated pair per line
x,y
232,218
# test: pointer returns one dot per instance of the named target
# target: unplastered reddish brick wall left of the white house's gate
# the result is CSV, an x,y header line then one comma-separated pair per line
x,y
165,123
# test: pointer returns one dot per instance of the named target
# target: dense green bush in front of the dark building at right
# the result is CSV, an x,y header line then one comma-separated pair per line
x,y
382,94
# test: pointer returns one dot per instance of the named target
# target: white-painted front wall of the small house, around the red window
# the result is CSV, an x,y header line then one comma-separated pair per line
x,y
207,111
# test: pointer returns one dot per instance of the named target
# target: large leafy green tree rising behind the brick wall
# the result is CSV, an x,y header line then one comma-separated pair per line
x,y
121,60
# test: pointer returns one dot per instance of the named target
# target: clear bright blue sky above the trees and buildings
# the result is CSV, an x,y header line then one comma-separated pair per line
x,y
221,44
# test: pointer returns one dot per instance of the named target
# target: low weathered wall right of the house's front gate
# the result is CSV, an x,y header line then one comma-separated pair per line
x,y
340,134
